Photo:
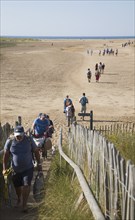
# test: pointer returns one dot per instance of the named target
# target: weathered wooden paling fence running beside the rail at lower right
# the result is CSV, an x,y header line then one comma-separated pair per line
x,y
110,177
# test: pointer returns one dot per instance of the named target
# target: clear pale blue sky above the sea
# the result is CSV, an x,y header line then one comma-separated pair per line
x,y
67,18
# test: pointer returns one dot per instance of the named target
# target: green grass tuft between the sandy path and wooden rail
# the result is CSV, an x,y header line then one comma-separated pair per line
x,y
62,193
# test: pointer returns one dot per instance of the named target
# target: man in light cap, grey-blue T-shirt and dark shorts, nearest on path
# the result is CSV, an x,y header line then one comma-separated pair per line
x,y
21,147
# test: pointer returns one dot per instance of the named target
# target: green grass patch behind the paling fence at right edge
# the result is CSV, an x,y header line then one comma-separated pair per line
x,y
125,143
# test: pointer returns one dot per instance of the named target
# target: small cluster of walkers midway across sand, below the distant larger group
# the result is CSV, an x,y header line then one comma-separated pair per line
x,y
99,69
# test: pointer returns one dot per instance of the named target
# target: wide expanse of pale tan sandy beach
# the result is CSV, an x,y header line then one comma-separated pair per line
x,y
36,77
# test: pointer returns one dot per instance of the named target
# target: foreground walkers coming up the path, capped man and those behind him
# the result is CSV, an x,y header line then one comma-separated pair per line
x,y
23,150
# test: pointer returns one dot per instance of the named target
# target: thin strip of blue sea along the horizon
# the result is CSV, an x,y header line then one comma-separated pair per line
x,y
71,37
